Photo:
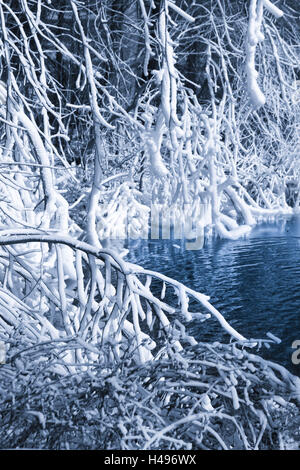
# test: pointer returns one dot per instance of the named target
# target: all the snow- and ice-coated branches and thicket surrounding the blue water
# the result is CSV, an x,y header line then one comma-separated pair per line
x,y
109,113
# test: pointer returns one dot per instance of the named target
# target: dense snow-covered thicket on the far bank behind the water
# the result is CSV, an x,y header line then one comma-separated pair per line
x,y
161,95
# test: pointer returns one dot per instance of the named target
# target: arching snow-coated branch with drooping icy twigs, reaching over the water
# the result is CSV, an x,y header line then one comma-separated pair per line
x,y
105,313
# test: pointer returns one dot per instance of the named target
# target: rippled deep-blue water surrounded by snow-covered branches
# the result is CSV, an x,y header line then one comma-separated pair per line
x,y
254,282
